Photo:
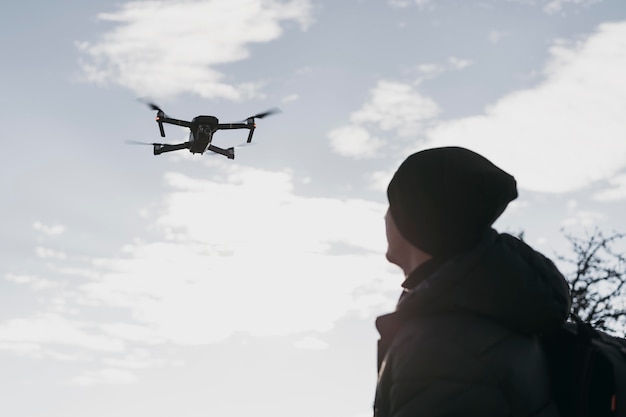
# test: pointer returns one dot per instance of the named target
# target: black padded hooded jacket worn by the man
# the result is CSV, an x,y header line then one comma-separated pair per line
x,y
463,341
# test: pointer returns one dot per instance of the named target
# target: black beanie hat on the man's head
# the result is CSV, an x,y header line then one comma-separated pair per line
x,y
444,199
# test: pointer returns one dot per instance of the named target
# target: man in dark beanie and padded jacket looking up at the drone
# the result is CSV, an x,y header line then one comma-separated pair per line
x,y
463,338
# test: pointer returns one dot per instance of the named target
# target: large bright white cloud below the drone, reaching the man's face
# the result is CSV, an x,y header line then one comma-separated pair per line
x,y
243,253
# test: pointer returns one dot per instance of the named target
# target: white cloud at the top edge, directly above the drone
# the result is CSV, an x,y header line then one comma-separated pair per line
x,y
168,47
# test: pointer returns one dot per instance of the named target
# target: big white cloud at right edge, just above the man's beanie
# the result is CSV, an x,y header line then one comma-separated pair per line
x,y
567,132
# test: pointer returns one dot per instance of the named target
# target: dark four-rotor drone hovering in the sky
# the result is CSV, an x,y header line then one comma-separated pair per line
x,y
201,132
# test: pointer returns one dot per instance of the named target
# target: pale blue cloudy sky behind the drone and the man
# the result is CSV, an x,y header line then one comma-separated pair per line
x,y
191,285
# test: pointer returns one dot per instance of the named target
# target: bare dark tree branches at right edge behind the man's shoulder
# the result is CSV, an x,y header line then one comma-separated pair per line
x,y
597,277
